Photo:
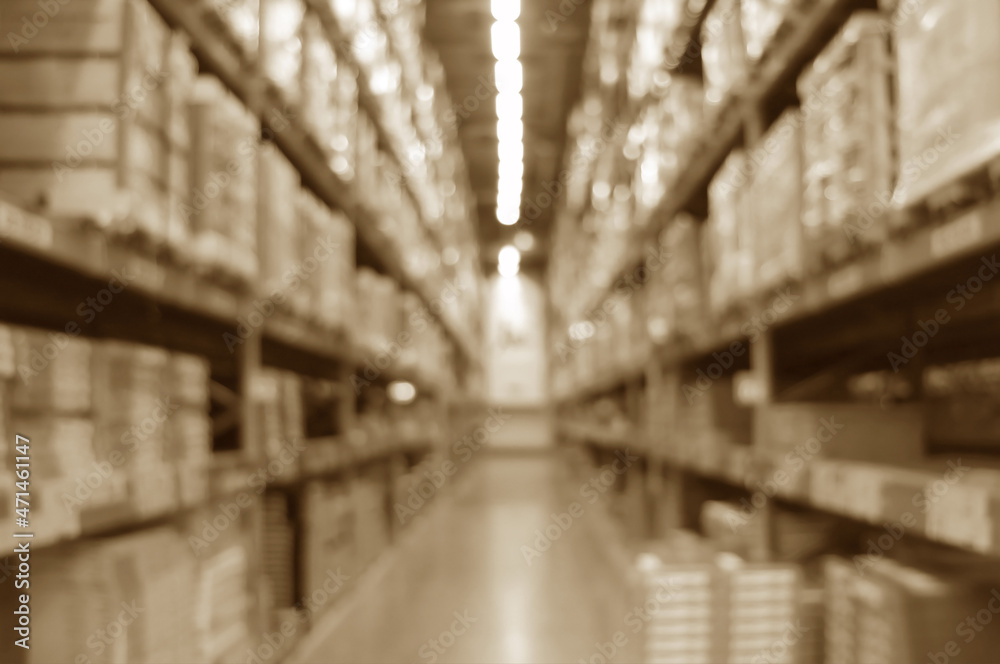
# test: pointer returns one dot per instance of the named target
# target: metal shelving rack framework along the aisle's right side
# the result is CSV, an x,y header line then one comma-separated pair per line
x,y
844,318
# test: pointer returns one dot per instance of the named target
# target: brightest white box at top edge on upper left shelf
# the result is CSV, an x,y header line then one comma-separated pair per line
x,y
281,44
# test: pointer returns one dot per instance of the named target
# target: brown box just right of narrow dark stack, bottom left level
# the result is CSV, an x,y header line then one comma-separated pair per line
x,y
328,525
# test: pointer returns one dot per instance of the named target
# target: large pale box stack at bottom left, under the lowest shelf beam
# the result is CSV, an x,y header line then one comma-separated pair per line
x,y
126,599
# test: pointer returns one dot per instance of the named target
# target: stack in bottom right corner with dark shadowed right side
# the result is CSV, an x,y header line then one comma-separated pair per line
x,y
884,612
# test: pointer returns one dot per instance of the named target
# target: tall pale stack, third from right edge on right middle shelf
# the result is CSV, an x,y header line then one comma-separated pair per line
x,y
775,207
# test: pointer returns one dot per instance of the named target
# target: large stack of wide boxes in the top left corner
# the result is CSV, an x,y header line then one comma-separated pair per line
x,y
97,153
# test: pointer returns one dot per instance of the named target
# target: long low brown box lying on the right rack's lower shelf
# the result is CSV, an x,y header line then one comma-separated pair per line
x,y
859,432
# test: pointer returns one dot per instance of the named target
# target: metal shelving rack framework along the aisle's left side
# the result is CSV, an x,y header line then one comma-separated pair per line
x,y
50,266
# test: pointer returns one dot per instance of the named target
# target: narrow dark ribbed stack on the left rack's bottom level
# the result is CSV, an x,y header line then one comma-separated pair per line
x,y
277,544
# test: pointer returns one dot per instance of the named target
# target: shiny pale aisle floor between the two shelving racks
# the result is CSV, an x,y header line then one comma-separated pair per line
x,y
463,591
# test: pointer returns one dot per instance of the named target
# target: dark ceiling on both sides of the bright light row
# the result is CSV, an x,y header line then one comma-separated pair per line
x,y
553,41
